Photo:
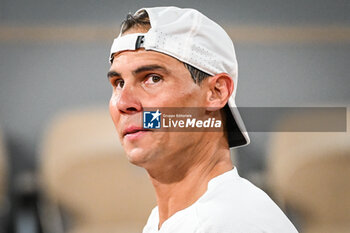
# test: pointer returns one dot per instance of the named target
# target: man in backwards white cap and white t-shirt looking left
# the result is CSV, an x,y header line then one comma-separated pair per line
x,y
178,58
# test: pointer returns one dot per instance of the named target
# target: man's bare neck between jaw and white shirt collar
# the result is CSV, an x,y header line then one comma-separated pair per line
x,y
184,185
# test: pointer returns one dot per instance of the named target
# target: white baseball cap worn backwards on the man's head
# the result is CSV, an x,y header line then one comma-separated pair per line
x,y
193,38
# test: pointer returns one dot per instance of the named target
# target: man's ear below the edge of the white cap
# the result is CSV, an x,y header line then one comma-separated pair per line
x,y
220,88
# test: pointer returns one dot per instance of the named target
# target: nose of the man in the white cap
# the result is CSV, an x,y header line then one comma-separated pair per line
x,y
128,102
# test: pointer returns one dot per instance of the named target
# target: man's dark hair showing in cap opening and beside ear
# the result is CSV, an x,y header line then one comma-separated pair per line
x,y
141,19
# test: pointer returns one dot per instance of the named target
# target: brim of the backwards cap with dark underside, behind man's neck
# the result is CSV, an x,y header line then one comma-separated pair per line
x,y
237,133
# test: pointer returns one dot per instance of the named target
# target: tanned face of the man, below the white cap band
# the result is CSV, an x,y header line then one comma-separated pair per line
x,y
150,79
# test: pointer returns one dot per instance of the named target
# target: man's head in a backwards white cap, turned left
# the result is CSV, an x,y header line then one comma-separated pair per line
x,y
175,72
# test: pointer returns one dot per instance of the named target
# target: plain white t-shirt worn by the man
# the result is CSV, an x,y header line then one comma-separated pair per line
x,y
230,205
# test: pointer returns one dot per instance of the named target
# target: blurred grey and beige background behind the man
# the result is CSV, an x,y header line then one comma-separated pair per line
x,y
61,166
